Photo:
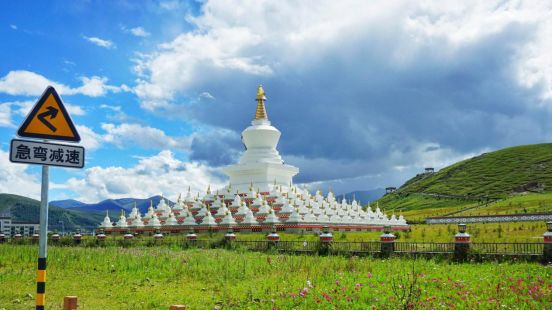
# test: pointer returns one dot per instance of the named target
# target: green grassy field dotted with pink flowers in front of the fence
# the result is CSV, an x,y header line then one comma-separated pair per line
x,y
155,278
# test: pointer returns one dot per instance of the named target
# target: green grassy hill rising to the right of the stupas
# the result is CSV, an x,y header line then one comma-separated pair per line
x,y
480,183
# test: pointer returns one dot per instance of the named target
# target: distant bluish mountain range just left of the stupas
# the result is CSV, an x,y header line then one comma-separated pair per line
x,y
114,206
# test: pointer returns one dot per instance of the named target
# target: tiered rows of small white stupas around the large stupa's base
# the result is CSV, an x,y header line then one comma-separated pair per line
x,y
290,210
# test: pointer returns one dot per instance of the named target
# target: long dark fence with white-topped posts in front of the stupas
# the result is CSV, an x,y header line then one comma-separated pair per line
x,y
461,249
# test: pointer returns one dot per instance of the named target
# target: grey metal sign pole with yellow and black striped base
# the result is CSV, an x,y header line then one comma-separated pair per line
x,y
42,251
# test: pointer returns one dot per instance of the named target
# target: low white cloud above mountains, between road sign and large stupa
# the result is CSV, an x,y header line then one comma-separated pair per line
x,y
159,174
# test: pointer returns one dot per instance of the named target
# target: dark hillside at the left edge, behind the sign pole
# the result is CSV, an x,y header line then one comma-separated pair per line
x,y
28,210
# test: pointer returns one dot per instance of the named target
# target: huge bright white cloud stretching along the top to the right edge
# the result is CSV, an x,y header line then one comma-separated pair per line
x,y
247,37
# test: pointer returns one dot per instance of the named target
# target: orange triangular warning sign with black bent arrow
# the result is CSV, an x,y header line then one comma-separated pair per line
x,y
49,119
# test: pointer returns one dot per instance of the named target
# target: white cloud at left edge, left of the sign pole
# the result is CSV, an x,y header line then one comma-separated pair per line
x,y
15,179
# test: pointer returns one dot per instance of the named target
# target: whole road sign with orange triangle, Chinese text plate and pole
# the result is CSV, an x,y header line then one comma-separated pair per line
x,y
48,120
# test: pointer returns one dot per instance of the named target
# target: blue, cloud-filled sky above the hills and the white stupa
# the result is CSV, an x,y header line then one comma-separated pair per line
x,y
366,94
